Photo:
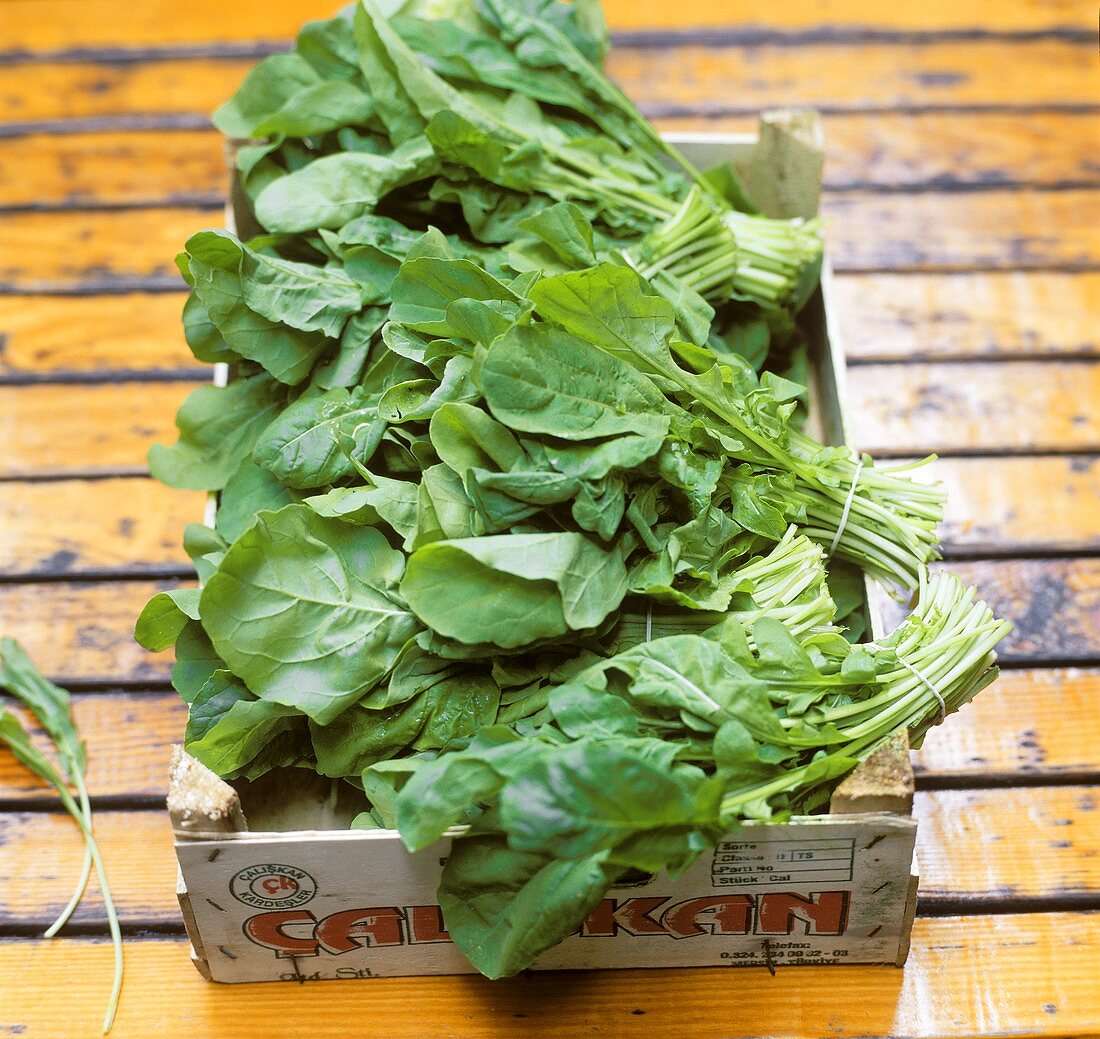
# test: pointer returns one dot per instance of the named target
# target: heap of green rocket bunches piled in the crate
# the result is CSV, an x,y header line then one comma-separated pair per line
x,y
518,526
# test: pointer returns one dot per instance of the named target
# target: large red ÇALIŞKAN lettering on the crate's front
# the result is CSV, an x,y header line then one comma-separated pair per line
x,y
298,933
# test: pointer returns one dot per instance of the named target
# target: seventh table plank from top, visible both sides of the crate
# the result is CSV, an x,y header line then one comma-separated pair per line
x,y
131,527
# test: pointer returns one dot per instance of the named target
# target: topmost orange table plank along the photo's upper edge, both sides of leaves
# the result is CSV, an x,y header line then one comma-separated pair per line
x,y
68,25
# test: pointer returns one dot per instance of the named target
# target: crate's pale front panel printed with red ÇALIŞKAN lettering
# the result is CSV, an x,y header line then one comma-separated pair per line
x,y
357,904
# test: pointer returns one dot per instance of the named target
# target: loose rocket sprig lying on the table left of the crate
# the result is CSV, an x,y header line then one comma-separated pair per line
x,y
51,709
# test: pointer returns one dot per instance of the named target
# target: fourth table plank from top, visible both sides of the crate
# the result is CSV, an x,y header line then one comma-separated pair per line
x,y
1002,229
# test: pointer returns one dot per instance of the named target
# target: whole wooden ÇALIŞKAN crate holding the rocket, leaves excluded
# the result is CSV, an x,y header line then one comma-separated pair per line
x,y
274,888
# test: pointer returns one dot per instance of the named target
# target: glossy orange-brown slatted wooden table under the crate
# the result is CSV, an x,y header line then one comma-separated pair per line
x,y
963,191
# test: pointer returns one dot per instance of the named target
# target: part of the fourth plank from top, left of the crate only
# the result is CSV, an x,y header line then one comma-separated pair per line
x,y
97,251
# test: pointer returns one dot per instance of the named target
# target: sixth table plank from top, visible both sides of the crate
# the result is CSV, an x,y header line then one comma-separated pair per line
x,y
897,411
